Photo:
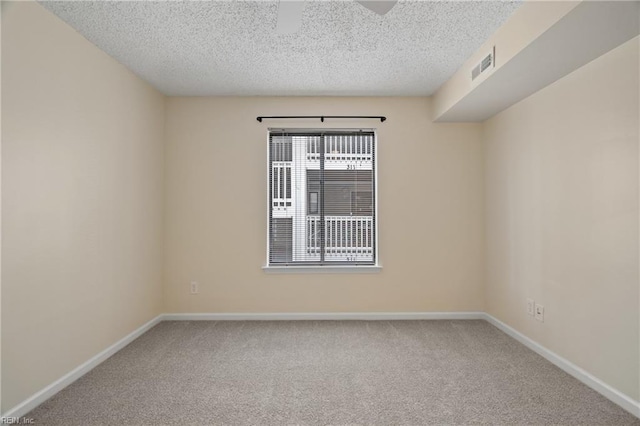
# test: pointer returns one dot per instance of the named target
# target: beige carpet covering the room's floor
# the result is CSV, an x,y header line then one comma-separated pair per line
x,y
327,373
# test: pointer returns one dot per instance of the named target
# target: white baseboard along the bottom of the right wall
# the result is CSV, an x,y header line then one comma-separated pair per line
x,y
593,382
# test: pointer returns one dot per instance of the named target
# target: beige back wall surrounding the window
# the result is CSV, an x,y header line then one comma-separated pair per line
x,y
430,210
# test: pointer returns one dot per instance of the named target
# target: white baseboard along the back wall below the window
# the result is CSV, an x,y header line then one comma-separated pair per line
x,y
362,316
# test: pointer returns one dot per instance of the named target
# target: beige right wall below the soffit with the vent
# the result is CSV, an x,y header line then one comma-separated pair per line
x,y
562,216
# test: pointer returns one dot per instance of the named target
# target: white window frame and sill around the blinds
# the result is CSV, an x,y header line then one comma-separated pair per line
x,y
330,269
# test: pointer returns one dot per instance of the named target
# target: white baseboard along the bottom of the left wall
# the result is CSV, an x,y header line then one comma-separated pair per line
x,y
41,396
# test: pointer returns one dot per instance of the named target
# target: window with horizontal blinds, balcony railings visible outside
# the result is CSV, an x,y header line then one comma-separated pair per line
x,y
322,198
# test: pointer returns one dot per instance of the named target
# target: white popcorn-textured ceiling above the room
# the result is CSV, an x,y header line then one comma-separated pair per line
x,y
232,48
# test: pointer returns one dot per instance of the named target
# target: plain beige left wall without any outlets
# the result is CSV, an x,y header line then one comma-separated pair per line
x,y
82,190
